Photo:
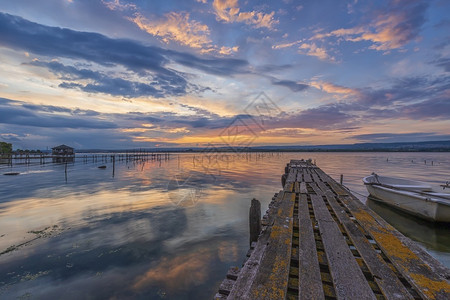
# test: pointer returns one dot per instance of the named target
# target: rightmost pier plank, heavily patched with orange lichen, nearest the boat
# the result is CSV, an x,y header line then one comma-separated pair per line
x,y
422,271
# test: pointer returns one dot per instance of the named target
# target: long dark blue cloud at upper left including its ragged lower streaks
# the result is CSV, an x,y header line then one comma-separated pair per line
x,y
144,61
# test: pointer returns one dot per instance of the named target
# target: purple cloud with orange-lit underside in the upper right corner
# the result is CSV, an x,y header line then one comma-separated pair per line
x,y
392,28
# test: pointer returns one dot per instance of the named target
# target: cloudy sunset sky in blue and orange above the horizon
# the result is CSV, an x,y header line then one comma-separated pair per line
x,y
120,74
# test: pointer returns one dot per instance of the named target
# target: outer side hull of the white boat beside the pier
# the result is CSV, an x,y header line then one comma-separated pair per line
x,y
418,205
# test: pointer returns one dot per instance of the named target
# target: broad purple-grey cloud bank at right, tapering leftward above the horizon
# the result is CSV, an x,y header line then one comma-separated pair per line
x,y
410,98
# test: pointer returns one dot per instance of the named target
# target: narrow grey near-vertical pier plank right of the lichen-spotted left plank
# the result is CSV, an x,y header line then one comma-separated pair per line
x,y
310,282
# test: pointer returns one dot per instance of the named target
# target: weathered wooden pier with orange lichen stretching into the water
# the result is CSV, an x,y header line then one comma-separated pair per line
x,y
318,241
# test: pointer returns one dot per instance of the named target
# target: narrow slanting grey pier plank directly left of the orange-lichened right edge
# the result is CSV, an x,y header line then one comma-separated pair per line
x,y
388,282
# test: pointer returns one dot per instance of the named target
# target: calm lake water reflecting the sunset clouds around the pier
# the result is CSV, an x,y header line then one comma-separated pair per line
x,y
165,229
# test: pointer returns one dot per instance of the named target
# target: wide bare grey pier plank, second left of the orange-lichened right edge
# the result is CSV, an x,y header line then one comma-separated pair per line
x,y
348,279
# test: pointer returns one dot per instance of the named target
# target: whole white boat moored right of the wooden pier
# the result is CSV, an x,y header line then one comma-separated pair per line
x,y
415,197
